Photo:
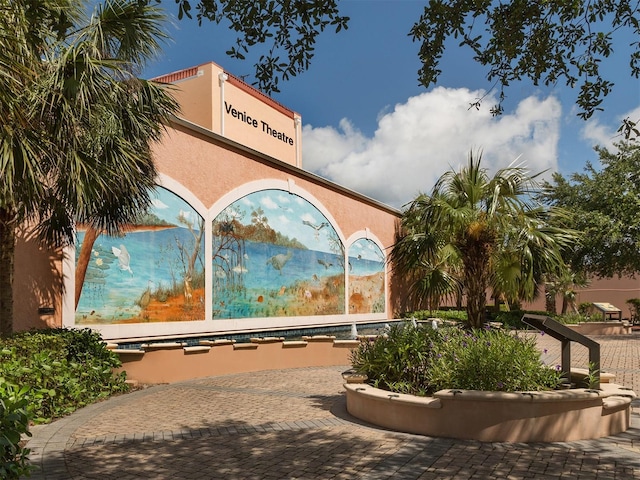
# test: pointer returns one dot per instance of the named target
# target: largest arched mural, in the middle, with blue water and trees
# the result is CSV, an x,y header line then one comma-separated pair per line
x,y
275,254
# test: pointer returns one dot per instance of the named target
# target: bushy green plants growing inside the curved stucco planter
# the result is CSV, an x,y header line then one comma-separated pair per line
x,y
421,360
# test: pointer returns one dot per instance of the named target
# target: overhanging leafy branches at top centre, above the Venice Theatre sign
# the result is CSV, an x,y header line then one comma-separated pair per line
x,y
289,27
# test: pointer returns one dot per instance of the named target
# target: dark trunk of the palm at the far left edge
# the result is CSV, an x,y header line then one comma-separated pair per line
x,y
7,256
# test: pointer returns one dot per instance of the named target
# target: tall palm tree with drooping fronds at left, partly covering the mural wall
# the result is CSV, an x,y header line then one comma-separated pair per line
x,y
76,122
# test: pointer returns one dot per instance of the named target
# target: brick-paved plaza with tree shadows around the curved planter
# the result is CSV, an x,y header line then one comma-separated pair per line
x,y
293,424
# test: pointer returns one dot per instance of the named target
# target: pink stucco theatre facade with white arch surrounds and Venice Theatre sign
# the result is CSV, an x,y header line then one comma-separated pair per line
x,y
229,142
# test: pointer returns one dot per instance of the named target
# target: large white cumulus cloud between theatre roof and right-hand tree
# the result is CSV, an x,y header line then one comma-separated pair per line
x,y
418,140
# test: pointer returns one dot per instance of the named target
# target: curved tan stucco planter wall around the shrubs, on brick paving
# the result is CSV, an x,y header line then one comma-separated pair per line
x,y
553,416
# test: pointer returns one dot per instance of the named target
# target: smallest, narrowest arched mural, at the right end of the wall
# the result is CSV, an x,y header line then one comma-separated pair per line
x,y
366,278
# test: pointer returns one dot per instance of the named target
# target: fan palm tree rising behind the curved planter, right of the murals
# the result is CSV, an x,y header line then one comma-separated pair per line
x,y
483,233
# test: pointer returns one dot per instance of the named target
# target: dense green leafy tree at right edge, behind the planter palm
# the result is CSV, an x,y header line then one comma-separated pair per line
x,y
605,205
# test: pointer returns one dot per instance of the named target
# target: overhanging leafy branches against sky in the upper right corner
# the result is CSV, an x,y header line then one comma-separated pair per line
x,y
545,41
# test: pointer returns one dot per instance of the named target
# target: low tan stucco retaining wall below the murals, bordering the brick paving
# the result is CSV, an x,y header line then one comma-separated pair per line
x,y
171,362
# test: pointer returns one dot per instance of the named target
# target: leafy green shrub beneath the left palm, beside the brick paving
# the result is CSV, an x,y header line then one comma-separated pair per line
x,y
66,369
